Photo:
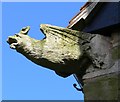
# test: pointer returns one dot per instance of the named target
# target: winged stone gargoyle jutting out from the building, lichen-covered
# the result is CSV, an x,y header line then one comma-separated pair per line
x,y
63,50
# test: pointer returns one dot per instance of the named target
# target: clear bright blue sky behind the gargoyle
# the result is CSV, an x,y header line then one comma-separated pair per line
x,y
22,79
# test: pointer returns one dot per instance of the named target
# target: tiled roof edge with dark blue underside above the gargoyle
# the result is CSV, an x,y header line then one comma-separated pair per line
x,y
95,17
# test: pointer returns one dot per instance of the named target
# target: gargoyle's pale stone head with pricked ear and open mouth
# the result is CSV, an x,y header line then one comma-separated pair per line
x,y
19,40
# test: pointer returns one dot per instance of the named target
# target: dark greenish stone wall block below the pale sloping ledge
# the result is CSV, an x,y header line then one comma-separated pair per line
x,y
103,88
